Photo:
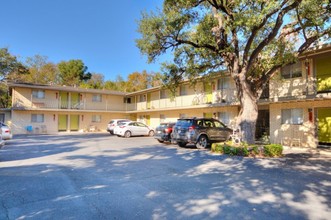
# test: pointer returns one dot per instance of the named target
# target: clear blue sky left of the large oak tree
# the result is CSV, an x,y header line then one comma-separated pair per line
x,y
102,33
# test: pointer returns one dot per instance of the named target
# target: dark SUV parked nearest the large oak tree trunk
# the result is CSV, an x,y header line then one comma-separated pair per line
x,y
200,131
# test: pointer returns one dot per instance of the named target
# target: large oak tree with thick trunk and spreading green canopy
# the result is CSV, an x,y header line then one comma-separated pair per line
x,y
249,39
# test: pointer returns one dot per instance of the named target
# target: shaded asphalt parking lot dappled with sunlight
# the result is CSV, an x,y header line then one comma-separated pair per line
x,y
97,176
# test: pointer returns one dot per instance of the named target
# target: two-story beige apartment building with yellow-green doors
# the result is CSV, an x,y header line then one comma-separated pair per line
x,y
295,109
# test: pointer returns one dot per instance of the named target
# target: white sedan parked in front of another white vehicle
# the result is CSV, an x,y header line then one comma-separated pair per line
x,y
133,128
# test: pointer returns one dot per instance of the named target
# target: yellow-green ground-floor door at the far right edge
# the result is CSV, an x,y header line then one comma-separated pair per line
x,y
324,125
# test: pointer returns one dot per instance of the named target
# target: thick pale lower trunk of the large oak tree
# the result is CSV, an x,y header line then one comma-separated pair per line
x,y
248,113
